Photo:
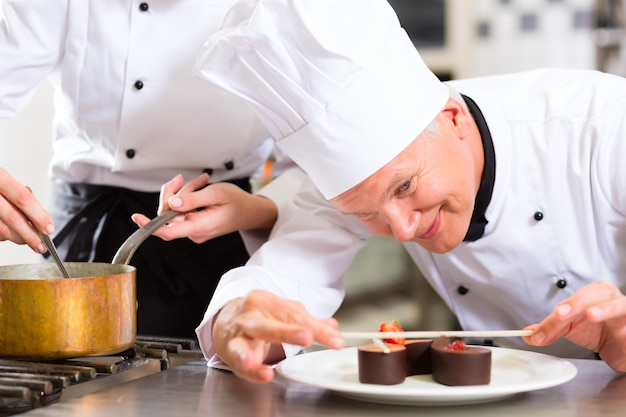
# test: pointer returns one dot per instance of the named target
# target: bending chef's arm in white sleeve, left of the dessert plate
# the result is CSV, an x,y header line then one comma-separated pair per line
x,y
297,275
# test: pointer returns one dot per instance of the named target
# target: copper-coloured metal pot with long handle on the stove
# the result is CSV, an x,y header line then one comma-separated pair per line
x,y
44,316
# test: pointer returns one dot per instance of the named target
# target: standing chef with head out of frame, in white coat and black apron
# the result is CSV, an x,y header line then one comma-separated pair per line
x,y
130,115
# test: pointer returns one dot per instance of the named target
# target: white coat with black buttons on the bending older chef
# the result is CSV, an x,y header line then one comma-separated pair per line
x,y
560,141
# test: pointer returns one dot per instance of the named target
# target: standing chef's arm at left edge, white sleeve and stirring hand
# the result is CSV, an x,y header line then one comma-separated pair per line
x,y
32,38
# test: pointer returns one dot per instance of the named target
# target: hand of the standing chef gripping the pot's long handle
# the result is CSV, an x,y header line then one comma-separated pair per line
x,y
209,212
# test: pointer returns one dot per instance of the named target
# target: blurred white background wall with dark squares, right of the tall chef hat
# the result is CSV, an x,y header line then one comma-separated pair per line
x,y
488,37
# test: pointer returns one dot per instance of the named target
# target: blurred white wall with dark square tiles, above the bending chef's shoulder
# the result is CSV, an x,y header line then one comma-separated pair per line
x,y
561,35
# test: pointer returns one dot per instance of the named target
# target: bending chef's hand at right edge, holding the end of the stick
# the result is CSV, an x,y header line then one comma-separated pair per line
x,y
594,317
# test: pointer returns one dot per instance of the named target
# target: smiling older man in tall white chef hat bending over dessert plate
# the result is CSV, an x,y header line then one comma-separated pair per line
x,y
508,191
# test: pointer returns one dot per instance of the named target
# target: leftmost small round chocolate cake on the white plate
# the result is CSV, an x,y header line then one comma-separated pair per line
x,y
378,367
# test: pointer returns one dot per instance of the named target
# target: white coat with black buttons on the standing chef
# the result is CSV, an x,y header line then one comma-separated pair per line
x,y
128,110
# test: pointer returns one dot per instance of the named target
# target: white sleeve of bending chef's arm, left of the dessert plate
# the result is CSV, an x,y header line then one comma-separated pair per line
x,y
310,248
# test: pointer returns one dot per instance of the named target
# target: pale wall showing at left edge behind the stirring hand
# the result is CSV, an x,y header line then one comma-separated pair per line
x,y
25,150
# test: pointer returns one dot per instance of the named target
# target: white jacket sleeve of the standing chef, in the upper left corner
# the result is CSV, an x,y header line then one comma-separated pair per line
x,y
32,35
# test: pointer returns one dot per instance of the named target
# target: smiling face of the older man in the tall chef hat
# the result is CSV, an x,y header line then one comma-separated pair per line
x,y
426,194
